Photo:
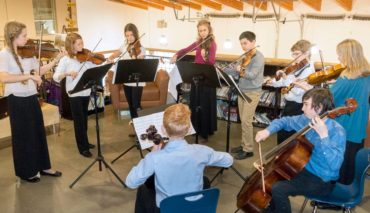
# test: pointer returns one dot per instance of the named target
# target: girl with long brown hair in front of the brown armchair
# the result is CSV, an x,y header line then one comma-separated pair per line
x,y
136,51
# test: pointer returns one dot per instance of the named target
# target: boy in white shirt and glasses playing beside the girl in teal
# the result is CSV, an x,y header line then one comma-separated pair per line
x,y
293,99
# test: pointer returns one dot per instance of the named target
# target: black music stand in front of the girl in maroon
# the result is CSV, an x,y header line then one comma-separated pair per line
x,y
199,74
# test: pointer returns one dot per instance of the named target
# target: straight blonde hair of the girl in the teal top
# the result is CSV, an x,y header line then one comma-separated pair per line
x,y
351,54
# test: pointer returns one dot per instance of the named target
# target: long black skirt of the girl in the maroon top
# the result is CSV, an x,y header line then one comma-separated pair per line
x,y
205,123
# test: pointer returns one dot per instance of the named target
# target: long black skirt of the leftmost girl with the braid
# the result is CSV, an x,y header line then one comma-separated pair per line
x,y
30,149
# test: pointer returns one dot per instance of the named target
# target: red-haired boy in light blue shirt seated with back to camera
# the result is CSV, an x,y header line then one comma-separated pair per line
x,y
177,167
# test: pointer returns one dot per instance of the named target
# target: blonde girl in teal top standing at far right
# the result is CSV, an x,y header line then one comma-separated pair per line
x,y
354,82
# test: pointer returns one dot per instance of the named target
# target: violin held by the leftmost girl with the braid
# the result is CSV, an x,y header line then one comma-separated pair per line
x,y
31,49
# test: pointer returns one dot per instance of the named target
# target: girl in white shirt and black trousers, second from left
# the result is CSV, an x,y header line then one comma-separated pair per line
x,y
70,68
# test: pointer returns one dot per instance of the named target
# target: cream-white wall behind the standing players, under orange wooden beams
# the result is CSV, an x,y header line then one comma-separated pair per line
x,y
106,19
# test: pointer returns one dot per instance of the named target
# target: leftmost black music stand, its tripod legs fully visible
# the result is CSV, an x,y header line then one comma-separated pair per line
x,y
92,78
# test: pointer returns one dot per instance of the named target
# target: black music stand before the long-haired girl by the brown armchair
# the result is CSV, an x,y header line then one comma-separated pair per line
x,y
135,71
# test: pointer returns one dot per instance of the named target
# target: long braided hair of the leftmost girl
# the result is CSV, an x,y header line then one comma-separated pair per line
x,y
12,30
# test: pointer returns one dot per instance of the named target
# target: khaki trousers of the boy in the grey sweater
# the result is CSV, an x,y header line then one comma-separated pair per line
x,y
246,112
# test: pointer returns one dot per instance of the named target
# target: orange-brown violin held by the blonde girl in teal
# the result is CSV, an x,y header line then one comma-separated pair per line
x,y
319,77
